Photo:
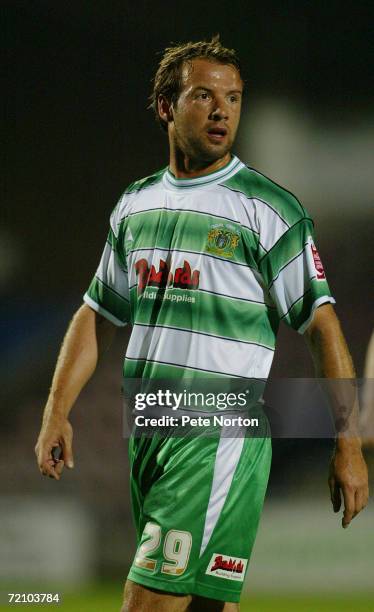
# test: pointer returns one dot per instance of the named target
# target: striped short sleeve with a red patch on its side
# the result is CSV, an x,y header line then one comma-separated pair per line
x,y
294,276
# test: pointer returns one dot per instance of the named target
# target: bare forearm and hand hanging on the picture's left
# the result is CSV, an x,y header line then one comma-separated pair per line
x,y
88,336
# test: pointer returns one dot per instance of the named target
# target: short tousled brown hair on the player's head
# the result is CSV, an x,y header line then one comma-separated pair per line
x,y
167,80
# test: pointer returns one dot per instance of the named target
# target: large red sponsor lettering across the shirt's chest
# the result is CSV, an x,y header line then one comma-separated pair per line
x,y
182,278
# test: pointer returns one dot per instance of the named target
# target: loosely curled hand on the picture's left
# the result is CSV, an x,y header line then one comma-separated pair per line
x,y
56,433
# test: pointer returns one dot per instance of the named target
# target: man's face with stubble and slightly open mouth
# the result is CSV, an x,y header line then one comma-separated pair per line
x,y
206,115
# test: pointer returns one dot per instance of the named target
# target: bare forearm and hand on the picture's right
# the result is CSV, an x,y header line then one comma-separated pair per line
x,y
348,472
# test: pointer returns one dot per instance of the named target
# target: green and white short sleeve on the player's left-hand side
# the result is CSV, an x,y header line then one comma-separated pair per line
x,y
108,293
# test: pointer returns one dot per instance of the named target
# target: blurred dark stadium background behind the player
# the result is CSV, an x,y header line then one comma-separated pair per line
x,y
77,132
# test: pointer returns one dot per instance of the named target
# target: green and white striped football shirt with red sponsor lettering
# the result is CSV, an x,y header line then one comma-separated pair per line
x,y
205,269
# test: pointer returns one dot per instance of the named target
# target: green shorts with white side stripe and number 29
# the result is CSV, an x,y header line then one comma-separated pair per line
x,y
196,505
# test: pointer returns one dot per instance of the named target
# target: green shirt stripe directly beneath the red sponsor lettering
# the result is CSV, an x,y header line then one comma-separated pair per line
x,y
248,322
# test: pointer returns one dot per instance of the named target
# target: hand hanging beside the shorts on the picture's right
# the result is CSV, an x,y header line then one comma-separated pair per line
x,y
348,477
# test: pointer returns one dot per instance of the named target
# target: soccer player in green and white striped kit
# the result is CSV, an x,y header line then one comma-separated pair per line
x,y
204,259
